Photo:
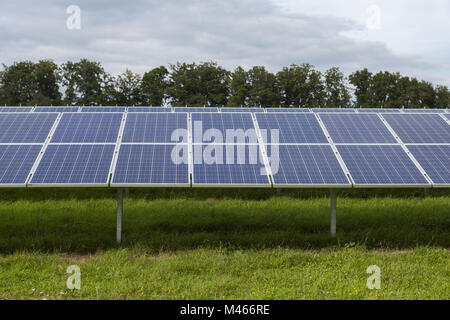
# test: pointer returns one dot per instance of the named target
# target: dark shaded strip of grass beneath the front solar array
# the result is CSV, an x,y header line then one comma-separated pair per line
x,y
88,226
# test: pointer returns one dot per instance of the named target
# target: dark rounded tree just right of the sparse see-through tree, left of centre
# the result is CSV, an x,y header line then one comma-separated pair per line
x,y
154,86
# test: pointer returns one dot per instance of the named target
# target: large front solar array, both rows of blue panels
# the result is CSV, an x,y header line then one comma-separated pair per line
x,y
297,163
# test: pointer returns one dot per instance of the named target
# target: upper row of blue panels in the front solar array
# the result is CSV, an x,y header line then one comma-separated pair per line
x,y
275,127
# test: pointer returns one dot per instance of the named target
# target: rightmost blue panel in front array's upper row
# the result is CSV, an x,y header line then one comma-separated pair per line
x,y
419,128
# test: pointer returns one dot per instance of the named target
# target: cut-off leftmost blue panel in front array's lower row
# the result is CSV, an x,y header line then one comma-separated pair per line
x,y
16,162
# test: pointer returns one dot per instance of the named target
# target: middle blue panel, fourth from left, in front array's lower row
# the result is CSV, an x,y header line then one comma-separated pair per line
x,y
229,165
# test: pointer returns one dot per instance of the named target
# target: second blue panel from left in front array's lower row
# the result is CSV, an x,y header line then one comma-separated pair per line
x,y
74,165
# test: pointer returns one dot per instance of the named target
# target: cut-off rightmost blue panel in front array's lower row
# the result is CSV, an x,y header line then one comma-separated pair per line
x,y
435,160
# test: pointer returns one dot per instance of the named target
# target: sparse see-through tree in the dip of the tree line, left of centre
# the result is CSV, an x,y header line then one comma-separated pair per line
x,y
128,89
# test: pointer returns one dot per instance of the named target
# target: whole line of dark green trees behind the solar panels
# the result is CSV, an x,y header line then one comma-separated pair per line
x,y
207,84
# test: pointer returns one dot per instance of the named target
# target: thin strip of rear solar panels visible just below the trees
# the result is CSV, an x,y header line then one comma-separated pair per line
x,y
208,109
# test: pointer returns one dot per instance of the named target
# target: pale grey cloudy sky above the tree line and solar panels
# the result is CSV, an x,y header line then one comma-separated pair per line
x,y
408,36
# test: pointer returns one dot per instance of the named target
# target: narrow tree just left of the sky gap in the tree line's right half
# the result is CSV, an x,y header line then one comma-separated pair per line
x,y
336,91
